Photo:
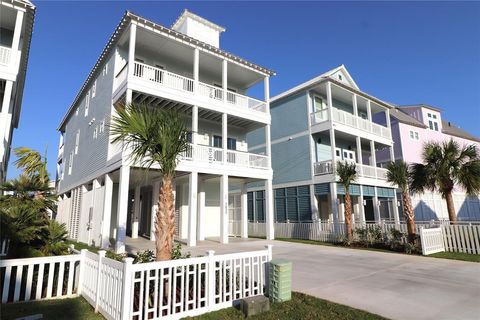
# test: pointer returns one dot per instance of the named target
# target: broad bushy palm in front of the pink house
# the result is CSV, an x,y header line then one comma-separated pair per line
x,y
445,166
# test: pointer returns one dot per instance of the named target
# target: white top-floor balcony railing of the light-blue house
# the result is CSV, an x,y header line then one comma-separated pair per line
x,y
350,120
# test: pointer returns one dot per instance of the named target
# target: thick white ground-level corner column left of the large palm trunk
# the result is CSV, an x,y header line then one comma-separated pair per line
x,y
122,208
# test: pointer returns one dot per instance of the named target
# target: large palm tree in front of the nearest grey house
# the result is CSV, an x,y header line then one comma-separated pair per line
x,y
154,137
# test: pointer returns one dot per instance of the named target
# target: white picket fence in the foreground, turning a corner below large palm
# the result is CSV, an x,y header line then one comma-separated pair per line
x,y
123,290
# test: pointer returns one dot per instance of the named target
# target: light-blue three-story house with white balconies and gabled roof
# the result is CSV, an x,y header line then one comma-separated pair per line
x,y
314,125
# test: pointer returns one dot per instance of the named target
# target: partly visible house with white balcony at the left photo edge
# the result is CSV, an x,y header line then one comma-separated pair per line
x,y
16,24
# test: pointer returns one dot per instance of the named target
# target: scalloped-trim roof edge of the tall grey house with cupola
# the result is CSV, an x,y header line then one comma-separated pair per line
x,y
121,27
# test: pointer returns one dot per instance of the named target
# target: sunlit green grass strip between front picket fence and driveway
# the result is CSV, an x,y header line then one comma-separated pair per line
x,y
300,307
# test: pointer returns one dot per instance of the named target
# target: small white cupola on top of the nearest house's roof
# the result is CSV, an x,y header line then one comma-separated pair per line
x,y
199,28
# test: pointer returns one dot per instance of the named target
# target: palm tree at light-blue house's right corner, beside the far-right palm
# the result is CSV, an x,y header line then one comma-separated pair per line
x,y
399,174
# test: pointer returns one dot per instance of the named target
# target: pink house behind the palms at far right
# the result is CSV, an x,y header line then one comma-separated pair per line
x,y
412,126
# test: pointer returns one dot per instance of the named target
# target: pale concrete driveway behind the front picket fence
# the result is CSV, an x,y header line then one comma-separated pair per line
x,y
396,286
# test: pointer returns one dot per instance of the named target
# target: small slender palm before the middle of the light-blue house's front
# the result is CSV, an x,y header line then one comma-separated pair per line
x,y
347,173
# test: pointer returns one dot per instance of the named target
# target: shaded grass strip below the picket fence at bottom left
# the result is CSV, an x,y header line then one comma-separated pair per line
x,y
71,309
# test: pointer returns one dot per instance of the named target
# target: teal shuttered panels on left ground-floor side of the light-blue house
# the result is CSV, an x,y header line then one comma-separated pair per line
x,y
293,203
